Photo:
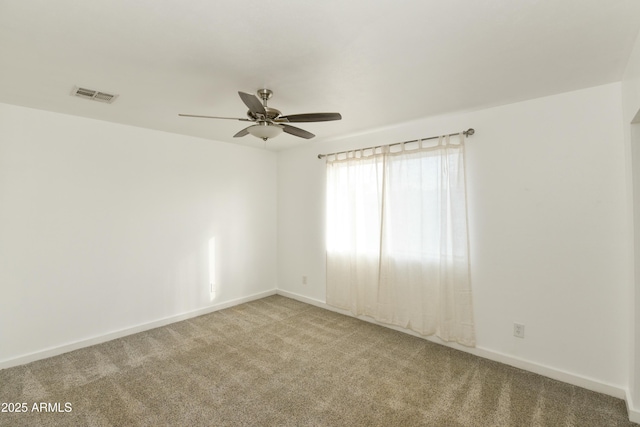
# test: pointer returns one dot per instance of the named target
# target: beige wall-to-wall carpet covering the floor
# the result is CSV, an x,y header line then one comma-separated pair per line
x,y
279,362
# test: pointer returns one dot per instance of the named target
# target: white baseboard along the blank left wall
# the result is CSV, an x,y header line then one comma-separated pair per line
x,y
65,348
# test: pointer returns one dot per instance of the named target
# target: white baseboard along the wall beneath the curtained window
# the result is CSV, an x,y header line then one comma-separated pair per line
x,y
547,371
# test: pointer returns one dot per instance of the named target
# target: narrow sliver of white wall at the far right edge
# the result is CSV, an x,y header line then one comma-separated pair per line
x,y
631,114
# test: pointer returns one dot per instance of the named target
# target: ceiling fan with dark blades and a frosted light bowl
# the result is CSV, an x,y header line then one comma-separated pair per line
x,y
269,122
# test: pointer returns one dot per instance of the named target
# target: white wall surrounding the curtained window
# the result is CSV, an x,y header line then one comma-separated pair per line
x,y
548,229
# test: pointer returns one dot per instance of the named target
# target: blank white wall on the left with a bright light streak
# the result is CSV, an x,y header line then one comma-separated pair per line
x,y
104,227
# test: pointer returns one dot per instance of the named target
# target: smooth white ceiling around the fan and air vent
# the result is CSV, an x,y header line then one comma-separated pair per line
x,y
379,63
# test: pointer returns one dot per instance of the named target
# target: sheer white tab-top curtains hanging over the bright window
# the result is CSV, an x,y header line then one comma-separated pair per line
x,y
397,243
